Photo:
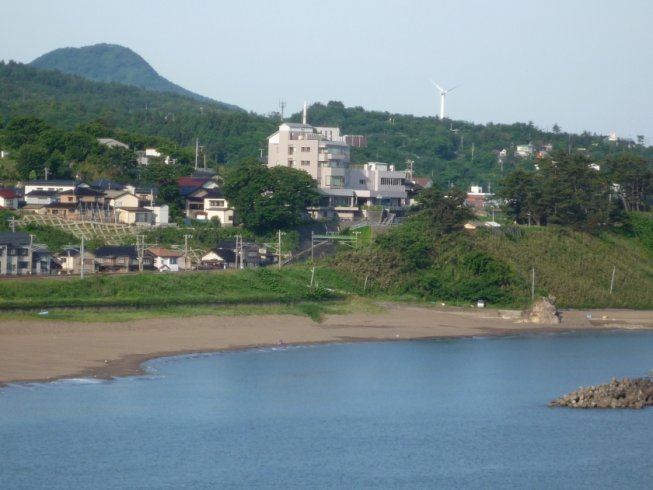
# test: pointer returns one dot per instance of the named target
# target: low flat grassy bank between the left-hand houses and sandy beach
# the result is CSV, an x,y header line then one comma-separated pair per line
x,y
167,290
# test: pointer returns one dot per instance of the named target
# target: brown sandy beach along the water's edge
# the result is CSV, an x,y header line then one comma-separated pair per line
x,y
43,350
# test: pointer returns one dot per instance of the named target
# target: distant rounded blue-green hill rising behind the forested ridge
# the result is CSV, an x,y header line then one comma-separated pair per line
x,y
113,63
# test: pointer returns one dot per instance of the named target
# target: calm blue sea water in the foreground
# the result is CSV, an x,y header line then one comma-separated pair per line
x,y
465,413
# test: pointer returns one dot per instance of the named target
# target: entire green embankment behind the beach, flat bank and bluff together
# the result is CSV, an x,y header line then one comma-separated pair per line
x,y
576,268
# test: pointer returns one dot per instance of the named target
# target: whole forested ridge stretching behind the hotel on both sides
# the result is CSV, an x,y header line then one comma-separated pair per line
x,y
452,152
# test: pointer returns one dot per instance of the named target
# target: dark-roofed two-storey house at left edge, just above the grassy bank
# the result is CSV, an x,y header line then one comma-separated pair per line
x,y
19,256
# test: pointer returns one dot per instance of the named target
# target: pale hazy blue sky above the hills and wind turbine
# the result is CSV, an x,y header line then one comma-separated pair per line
x,y
583,65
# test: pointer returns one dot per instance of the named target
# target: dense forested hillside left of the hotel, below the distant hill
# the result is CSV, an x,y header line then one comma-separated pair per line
x,y
67,102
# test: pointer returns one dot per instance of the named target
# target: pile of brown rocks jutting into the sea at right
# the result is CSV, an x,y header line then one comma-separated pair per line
x,y
624,393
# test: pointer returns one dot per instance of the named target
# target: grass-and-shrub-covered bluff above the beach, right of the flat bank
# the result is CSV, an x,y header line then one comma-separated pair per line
x,y
409,262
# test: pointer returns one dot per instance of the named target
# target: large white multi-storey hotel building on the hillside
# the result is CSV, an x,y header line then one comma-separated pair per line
x,y
325,155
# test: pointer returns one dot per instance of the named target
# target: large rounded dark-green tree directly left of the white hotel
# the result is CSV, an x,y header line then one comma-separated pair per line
x,y
266,199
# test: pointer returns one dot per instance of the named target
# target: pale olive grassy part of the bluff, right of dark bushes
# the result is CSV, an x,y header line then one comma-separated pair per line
x,y
577,268
